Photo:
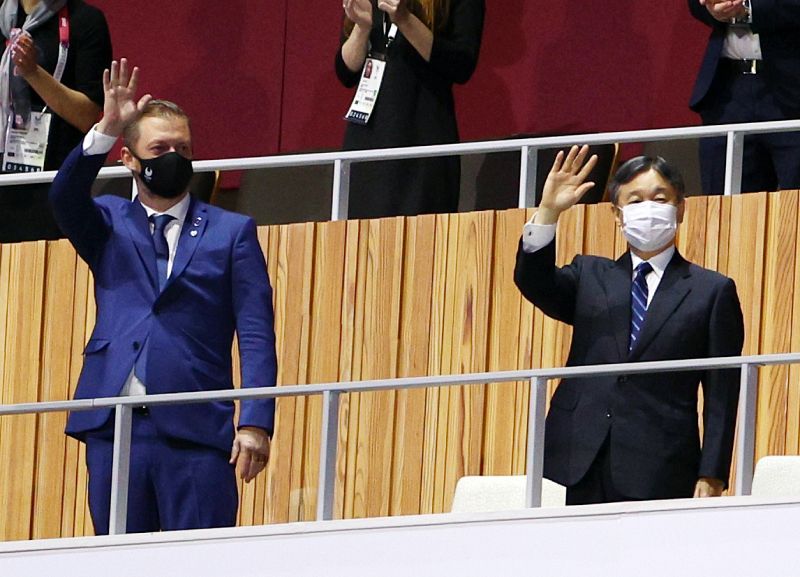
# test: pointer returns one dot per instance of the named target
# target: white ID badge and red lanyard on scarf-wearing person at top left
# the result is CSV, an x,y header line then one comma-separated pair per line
x,y
26,143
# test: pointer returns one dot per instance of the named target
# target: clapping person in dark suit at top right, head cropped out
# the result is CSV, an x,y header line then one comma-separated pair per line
x,y
750,73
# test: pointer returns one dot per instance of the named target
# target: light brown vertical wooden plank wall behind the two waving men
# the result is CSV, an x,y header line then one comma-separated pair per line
x,y
373,300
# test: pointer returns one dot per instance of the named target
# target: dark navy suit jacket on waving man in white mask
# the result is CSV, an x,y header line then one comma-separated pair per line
x,y
651,419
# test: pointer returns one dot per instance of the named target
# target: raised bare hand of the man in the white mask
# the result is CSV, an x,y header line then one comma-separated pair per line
x,y
565,183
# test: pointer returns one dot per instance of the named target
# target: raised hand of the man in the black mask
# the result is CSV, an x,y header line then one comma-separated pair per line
x,y
120,106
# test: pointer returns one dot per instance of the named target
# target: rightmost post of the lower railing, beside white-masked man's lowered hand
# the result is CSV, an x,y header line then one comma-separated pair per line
x,y
746,425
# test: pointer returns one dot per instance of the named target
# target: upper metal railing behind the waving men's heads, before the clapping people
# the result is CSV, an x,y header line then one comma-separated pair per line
x,y
527,147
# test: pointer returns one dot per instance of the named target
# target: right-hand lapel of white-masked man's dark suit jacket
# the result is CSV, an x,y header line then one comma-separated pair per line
x,y
671,291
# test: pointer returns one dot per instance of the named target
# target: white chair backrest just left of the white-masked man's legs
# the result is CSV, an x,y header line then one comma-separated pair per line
x,y
501,493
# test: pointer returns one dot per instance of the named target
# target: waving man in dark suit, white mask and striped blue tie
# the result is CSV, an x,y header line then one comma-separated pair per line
x,y
634,436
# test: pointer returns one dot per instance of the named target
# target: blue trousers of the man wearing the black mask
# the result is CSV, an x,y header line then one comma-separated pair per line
x,y
173,484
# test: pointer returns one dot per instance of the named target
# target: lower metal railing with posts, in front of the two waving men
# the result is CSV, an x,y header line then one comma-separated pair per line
x,y
538,378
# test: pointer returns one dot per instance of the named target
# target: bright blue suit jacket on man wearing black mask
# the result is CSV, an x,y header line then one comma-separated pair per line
x,y
219,285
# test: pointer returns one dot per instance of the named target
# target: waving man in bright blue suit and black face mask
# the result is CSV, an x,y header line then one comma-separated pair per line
x,y
174,279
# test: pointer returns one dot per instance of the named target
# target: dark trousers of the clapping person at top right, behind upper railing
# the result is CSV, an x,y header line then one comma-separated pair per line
x,y
770,161
